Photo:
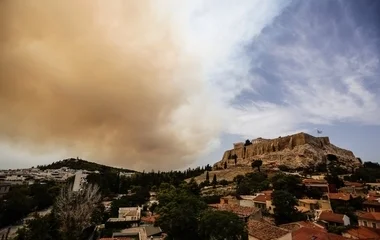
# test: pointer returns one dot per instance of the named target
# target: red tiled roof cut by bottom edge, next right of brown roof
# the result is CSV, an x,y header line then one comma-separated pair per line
x,y
309,233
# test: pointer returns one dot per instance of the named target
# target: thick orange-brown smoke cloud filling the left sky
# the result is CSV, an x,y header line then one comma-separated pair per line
x,y
100,79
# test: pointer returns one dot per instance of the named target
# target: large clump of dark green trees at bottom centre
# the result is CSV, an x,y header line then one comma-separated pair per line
x,y
184,215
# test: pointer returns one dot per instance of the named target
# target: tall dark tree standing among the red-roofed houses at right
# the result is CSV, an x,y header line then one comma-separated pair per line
x,y
285,211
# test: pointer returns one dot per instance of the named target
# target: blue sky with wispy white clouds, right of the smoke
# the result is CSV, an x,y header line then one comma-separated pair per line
x,y
318,65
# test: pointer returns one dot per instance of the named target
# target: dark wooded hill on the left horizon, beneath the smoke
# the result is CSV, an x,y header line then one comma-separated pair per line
x,y
76,163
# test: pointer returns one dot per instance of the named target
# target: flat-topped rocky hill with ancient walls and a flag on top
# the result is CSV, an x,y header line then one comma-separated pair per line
x,y
298,150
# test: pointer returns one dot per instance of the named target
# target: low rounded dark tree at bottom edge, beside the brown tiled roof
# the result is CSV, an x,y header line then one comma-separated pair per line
x,y
221,225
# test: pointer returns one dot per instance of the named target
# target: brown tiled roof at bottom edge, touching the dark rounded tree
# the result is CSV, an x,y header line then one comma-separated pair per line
x,y
264,231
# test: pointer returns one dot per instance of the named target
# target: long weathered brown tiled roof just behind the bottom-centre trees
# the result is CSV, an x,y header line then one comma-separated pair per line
x,y
244,213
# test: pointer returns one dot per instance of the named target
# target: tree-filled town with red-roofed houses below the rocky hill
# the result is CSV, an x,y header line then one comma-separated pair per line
x,y
262,201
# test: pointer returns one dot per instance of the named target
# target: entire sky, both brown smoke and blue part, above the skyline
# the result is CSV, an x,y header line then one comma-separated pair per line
x,y
167,84
